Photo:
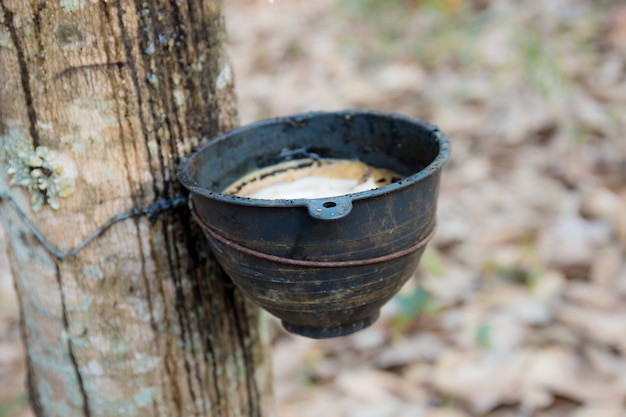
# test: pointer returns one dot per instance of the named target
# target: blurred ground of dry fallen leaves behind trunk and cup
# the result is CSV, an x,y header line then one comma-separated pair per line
x,y
519,306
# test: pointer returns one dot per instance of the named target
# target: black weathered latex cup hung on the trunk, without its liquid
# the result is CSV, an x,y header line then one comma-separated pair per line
x,y
312,299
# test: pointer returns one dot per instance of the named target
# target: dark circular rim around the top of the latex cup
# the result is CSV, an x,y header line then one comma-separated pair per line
x,y
345,199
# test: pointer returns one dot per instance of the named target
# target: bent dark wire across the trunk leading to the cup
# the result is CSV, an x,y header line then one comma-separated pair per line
x,y
152,211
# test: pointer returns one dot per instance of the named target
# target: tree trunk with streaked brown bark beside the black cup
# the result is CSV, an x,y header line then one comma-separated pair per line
x,y
138,323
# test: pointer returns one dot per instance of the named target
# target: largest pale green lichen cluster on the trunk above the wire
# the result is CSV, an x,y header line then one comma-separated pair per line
x,y
35,170
